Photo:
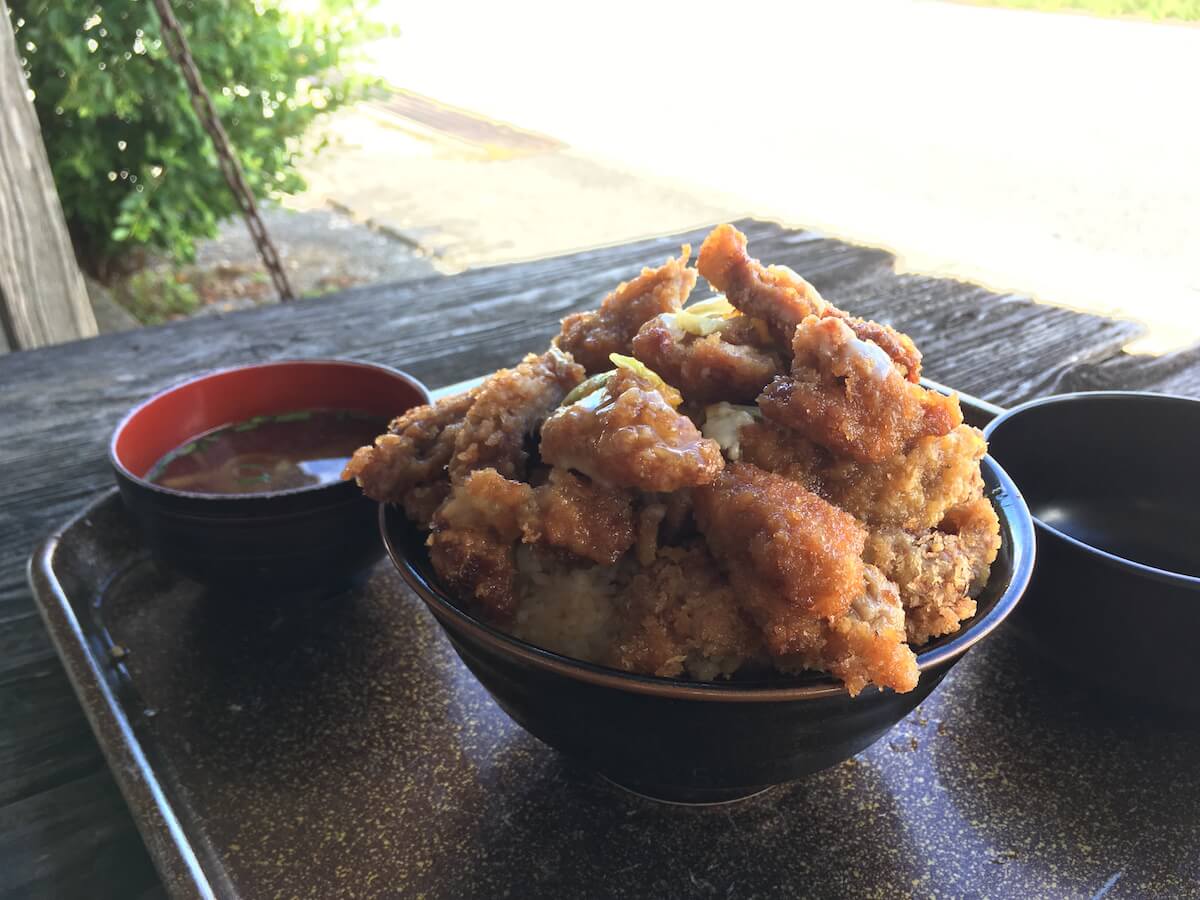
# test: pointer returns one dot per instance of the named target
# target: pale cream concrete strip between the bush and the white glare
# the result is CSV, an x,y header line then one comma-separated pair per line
x,y
489,199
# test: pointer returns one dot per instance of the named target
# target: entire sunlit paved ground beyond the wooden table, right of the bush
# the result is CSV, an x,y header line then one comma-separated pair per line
x,y
1054,155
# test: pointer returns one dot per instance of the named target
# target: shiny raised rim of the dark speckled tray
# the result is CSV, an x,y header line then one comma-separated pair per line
x,y
172,850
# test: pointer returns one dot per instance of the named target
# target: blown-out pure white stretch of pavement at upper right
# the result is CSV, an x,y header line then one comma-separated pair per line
x,y
1057,155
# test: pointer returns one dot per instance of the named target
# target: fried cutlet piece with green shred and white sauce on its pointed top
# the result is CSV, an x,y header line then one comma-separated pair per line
x,y
628,436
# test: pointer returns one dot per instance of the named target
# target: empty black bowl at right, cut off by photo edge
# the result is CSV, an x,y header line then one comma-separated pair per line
x,y
1111,478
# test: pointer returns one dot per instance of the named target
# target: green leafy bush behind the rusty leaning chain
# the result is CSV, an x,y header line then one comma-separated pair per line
x,y
133,165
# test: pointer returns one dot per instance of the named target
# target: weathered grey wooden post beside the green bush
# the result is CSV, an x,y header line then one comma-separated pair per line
x,y
43,296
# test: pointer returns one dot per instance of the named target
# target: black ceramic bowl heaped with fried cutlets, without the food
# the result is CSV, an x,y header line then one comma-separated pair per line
x,y
698,742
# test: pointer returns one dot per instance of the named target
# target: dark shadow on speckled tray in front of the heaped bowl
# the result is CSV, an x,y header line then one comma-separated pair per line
x,y
572,832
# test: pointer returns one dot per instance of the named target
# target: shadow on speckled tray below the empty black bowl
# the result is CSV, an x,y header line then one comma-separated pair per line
x,y
1097,784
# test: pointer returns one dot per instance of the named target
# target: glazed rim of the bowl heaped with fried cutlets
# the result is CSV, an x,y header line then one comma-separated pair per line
x,y
1016,521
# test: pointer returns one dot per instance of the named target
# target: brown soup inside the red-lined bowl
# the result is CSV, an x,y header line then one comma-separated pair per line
x,y
268,453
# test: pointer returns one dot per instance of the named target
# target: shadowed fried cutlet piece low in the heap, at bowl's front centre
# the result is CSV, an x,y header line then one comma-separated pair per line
x,y
681,616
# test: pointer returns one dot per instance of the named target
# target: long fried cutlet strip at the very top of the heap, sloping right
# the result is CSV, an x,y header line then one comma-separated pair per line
x,y
783,299
